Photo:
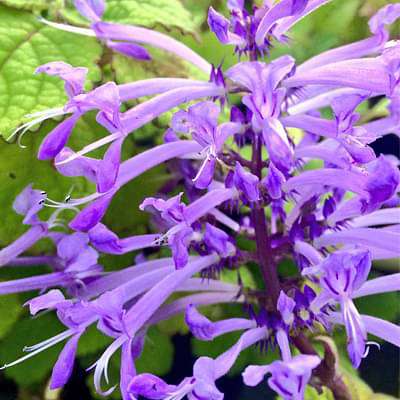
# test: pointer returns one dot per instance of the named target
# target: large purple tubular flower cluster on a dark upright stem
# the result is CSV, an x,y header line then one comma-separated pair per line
x,y
333,221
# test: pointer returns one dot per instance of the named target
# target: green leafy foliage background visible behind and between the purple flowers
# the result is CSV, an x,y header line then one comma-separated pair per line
x,y
26,43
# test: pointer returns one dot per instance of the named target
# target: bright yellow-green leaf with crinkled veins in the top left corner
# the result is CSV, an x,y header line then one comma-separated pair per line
x,y
25,44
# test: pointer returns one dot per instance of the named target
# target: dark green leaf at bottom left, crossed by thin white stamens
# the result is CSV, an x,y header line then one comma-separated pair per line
x,y
28,332
